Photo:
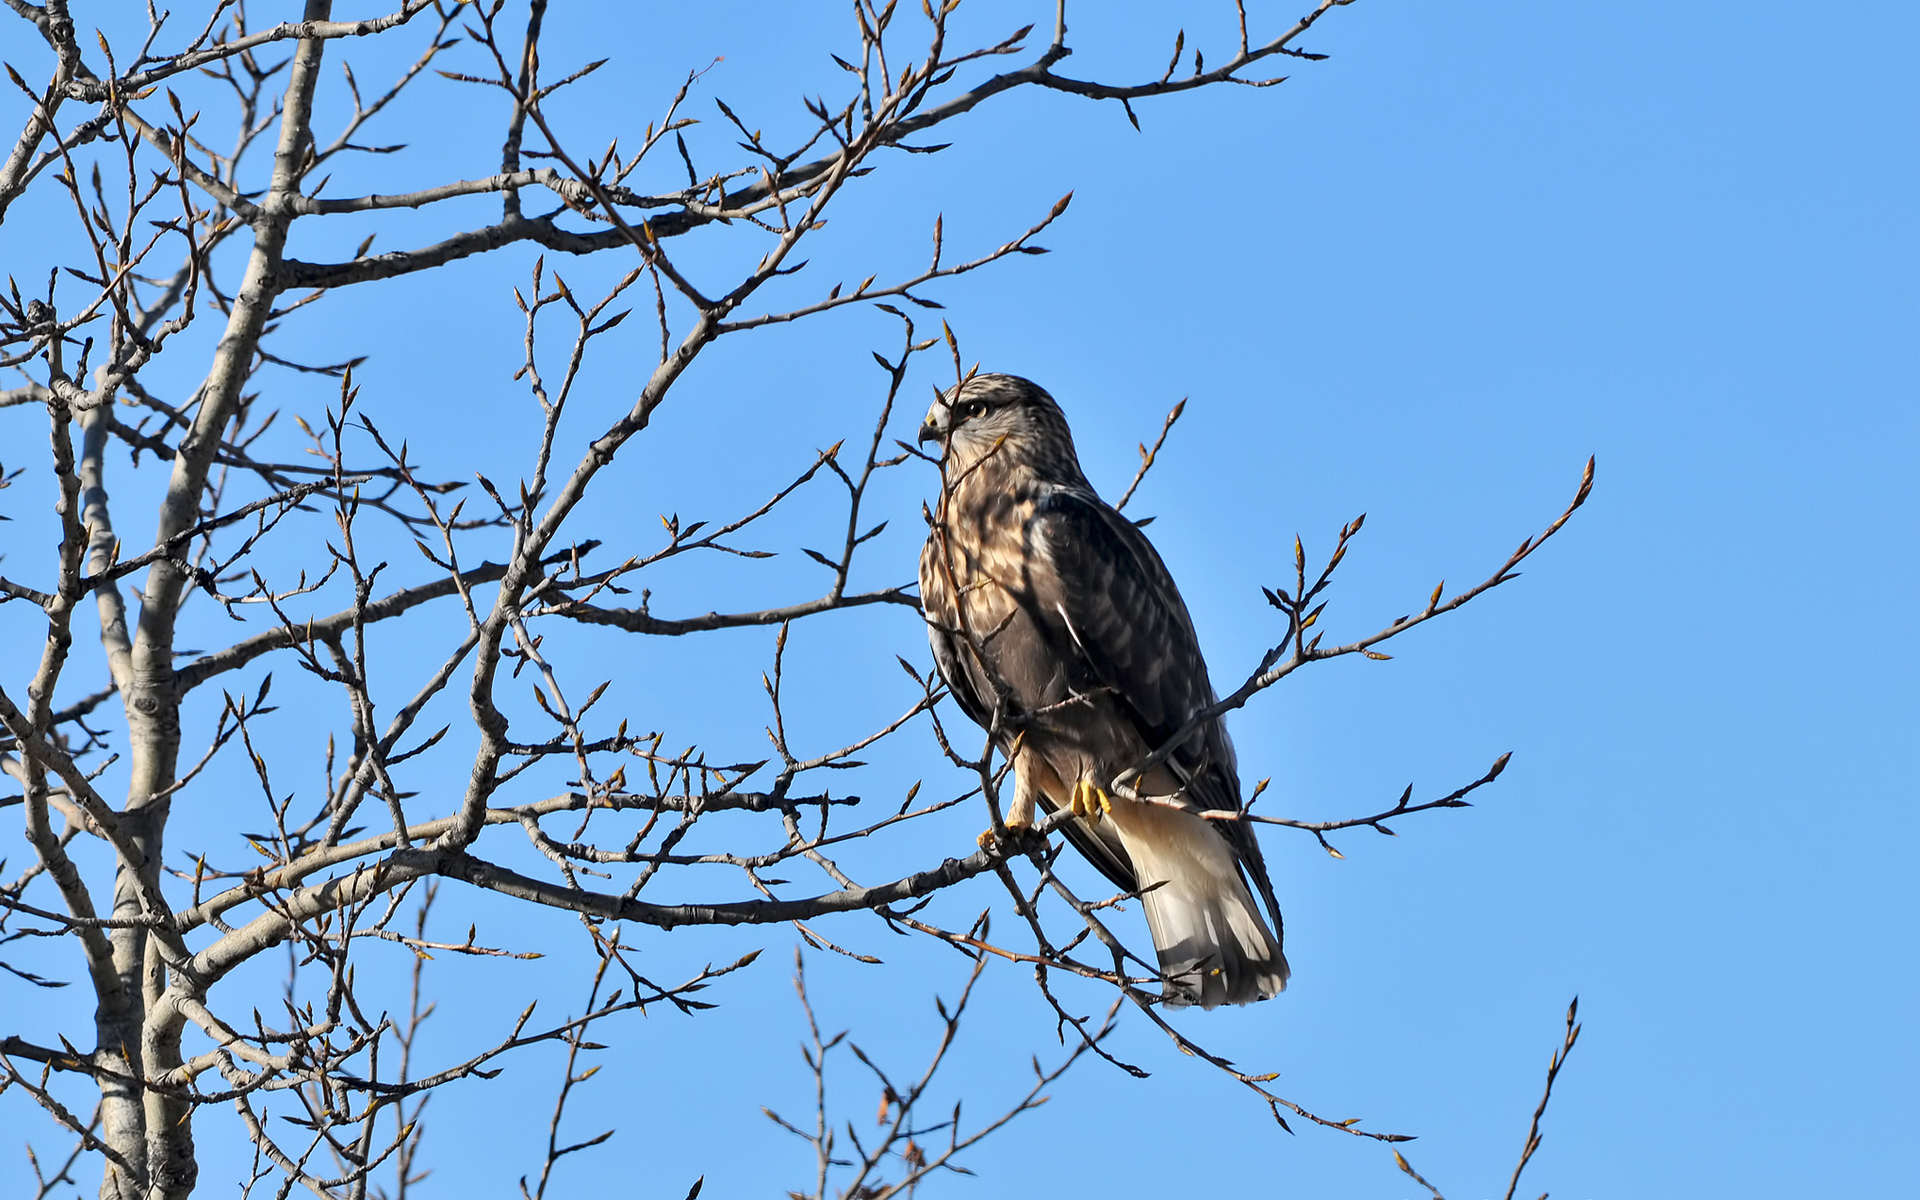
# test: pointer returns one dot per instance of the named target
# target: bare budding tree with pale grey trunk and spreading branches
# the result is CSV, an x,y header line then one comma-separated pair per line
x,y
160,335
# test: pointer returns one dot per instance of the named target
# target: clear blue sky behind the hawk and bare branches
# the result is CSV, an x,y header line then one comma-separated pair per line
x,y
1422,281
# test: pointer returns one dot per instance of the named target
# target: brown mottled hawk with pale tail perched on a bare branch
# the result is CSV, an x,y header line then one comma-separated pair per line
x,y
1055,613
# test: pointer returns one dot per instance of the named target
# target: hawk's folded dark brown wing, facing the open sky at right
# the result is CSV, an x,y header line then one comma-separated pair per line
x,y
1101,583
